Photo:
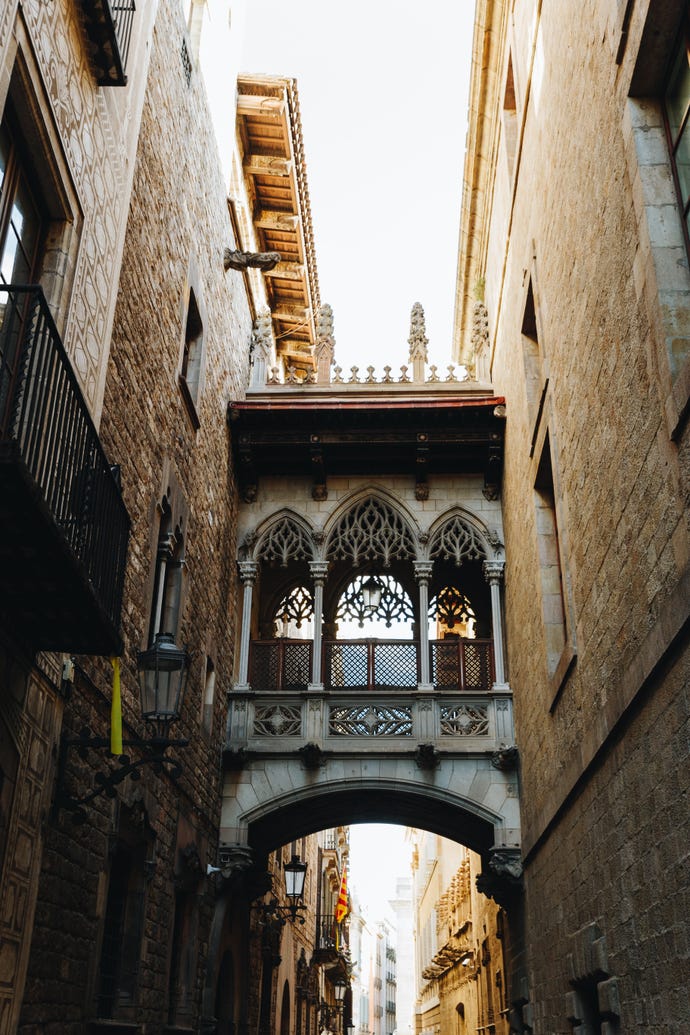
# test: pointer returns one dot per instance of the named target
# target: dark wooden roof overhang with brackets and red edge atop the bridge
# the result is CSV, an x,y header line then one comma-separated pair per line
x,y
322,438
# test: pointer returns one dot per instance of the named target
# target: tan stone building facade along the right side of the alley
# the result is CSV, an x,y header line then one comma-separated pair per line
x,y
575,288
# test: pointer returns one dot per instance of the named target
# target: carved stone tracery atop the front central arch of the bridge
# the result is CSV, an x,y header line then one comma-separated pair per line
x,y
371,533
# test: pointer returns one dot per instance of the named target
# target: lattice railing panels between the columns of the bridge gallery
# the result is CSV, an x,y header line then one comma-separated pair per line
x,y
372,665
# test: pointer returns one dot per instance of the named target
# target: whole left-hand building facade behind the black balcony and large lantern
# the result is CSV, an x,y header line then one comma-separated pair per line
x,y
115,163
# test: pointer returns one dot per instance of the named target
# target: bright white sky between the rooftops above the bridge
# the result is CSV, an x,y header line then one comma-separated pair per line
x,y
383,88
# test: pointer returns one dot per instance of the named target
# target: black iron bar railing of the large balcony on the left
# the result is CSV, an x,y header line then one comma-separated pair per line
x,y
45,425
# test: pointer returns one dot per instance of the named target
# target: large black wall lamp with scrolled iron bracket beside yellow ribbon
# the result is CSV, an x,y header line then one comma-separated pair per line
x,y
163,676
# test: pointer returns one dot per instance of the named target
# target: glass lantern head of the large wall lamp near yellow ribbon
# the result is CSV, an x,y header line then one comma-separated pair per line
x,y
163,676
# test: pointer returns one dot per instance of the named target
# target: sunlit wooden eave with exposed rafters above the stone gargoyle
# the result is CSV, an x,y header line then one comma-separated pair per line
x,y
271,137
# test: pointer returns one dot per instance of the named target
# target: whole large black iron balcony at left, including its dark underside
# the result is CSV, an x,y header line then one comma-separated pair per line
x,y
66,527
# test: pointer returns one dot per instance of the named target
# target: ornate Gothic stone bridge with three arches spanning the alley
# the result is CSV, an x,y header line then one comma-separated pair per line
x,y
371,510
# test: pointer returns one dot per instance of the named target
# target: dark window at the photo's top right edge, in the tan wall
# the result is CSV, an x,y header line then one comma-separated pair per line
x,y
677,110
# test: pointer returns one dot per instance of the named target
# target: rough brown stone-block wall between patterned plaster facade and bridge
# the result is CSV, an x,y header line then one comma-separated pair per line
x,y
177,229
